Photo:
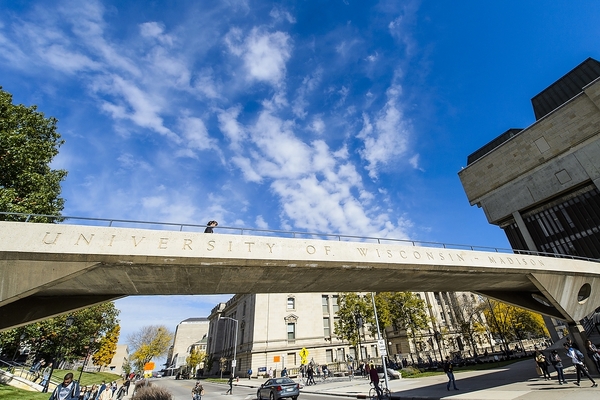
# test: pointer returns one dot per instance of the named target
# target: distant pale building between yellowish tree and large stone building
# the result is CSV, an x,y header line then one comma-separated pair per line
x,y
188,334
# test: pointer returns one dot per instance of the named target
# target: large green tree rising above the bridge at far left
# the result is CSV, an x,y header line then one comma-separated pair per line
x,y
28,143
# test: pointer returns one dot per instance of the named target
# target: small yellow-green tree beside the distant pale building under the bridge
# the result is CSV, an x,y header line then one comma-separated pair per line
x,y
149,342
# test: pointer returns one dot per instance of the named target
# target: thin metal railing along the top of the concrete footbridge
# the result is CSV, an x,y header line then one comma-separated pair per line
x,y
184,227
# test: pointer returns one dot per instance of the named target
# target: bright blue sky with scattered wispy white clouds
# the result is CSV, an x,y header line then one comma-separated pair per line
x,y
337,116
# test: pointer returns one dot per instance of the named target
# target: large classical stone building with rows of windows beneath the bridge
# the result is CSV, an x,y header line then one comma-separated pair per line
x,y
271,329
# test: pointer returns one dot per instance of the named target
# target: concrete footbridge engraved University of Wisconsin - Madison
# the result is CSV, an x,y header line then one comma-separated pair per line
x,y
49,269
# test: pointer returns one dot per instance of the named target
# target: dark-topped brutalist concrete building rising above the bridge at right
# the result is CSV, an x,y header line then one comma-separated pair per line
x,y
541,184
